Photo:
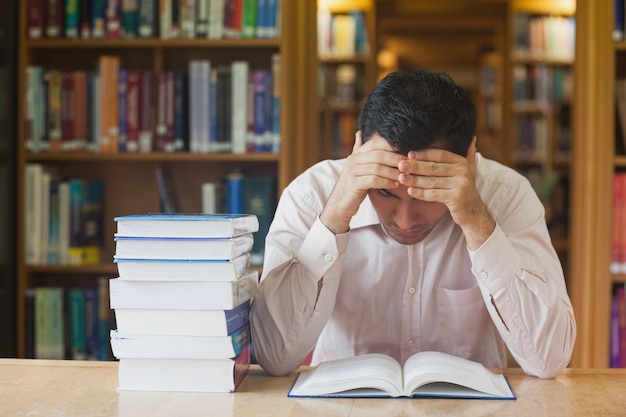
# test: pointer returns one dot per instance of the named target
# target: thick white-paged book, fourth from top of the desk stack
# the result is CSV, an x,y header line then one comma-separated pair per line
x,y
182,294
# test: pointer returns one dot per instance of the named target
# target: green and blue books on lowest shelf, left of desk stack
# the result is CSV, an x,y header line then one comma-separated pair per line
x,y
68,323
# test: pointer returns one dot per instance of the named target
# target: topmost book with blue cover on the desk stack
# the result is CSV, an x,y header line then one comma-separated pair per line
x,y
197,225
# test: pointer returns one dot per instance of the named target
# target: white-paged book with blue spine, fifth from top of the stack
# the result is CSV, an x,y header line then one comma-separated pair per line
x,y
182,322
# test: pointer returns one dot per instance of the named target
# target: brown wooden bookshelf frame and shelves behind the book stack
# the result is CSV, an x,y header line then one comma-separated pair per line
x,y
130,181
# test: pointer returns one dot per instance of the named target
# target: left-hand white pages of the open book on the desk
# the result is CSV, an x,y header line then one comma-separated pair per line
x,y
367,371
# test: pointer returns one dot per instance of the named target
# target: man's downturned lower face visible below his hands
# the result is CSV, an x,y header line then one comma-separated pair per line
x,y
405,219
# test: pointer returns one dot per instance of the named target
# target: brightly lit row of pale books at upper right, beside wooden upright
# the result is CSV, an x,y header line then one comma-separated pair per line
x,y
545,36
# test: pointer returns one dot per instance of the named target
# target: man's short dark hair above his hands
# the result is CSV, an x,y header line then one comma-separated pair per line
x,y
417,109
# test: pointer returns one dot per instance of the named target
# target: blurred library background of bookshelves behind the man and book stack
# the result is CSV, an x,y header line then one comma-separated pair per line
x,y
215,105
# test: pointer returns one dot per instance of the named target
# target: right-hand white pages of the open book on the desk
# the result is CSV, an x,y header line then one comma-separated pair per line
x,y
429,367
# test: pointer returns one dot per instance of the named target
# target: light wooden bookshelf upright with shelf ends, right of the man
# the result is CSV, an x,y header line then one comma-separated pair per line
x,y
594,161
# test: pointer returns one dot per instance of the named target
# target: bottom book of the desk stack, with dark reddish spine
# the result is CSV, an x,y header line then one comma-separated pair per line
x,y
193,375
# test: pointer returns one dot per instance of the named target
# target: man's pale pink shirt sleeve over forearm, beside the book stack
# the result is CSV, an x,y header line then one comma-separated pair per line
x,y
288,314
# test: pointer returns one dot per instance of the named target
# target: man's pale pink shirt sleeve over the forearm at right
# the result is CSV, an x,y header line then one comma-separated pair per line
x,y
523,287
